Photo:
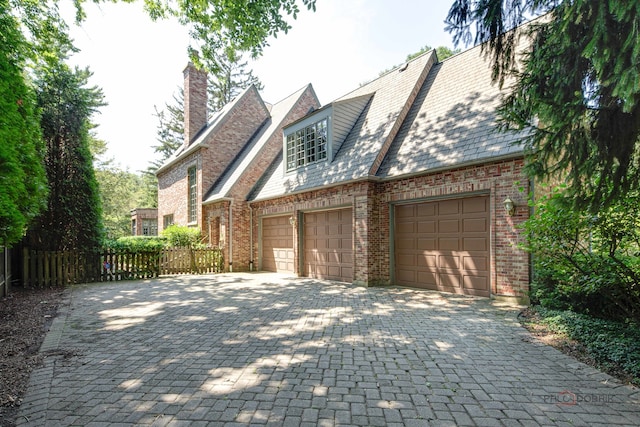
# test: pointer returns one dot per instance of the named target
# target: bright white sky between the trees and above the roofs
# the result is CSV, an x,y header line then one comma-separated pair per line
x,y
138,63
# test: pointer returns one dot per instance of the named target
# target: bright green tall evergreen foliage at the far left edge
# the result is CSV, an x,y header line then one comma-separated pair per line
x,y
23,188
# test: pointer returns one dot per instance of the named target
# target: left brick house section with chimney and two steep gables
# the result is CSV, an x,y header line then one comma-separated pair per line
x,y
206,182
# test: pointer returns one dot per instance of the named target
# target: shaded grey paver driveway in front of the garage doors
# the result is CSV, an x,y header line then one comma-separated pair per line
x,y
240,349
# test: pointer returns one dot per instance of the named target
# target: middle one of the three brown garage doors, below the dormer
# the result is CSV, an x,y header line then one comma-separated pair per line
x,y
328,245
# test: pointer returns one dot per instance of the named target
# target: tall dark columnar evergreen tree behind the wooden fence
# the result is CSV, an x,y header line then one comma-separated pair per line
x,y
72,219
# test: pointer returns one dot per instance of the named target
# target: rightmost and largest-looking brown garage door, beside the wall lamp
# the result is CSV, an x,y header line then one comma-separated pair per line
x,y
444,245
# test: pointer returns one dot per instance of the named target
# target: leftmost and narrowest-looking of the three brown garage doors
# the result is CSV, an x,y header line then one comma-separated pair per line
x,y
277,244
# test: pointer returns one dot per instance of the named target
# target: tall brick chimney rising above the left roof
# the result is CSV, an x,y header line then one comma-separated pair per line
x,y
195,102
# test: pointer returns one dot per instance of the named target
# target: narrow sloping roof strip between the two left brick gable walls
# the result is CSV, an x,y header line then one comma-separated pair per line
x,y
245,159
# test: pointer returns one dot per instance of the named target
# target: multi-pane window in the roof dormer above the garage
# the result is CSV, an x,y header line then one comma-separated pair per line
x,y
307,145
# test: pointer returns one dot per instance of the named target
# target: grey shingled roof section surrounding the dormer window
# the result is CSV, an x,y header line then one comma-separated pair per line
x,y
387,100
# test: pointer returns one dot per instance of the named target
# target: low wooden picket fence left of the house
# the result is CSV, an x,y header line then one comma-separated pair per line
x,y
47,268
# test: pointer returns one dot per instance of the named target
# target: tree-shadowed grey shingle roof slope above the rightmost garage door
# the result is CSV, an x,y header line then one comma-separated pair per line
x,y
453,120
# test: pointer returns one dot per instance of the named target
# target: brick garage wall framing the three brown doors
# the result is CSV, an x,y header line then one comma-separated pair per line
x,y
372,203
